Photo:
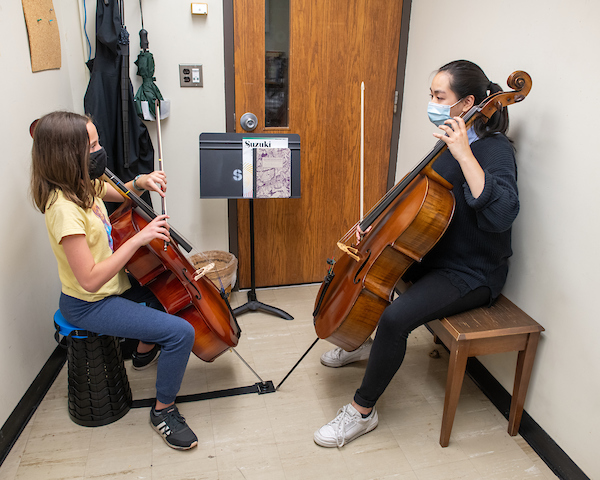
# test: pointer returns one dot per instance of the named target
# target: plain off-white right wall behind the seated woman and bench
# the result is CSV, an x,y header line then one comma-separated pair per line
x,y
554,269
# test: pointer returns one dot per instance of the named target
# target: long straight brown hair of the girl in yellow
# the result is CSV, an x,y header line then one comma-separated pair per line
x,y
60,160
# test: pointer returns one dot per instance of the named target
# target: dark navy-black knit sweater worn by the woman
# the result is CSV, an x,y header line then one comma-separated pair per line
x,y
475,249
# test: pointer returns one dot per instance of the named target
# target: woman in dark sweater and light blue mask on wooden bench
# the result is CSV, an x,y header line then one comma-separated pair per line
x,y
468,266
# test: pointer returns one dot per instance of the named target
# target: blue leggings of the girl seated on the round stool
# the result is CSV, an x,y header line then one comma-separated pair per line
x,y
123,316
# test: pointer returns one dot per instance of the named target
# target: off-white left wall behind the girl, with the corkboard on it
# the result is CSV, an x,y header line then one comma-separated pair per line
x,y
28,289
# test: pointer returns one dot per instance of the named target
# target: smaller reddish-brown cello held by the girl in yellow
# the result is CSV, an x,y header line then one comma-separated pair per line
x,y
168,274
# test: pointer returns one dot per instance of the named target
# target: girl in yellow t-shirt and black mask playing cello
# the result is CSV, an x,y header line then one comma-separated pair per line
x,y
67,161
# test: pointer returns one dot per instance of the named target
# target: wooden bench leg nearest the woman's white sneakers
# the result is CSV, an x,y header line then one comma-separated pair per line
x,y
456,373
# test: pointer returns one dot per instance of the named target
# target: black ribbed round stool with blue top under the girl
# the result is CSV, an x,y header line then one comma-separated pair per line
x,y
99,391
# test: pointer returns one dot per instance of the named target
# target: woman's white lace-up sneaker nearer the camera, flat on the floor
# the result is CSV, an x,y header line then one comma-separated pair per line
x,y
344,428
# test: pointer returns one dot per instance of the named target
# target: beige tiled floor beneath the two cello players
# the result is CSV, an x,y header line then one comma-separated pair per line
x,y
271,436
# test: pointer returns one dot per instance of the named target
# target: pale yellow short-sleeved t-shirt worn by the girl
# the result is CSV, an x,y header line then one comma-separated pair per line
x,y
64,218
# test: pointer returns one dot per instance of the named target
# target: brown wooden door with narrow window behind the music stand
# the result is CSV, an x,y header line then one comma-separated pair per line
x,y
333,47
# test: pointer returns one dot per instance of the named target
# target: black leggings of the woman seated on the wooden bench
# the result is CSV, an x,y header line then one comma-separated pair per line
x,y
433,296
